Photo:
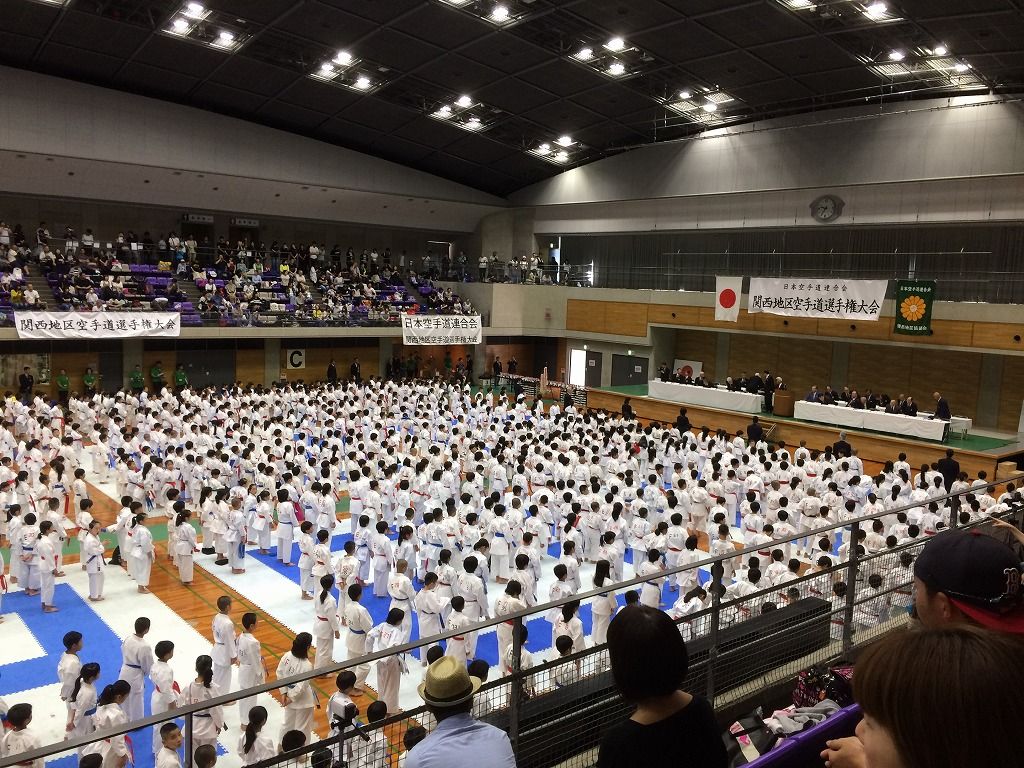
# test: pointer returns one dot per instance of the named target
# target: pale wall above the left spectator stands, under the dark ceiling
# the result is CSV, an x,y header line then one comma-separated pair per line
x,y
113,141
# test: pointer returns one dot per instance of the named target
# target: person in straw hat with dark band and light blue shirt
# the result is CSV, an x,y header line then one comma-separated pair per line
x,y
459,741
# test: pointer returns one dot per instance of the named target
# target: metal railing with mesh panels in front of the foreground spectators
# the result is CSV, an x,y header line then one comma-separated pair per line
x,y
554,712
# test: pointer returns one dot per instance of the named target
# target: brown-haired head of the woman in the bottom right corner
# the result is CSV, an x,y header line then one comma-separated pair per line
x,y
910,684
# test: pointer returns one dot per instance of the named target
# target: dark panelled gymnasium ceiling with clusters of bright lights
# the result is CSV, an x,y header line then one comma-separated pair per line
x,y
376,75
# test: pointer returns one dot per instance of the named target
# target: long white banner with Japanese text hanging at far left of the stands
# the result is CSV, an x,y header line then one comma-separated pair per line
x,y
96,325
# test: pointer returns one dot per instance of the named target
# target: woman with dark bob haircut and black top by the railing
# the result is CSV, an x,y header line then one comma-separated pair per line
x,y
670,728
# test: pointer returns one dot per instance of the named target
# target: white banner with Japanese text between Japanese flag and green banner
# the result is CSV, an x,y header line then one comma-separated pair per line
x,y
839,300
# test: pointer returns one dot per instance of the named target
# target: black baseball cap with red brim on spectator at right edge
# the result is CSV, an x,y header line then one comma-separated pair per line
x,y
979,575
